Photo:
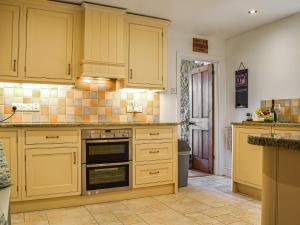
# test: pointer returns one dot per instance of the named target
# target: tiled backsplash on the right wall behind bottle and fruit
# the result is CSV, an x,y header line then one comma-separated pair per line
x,y
289,109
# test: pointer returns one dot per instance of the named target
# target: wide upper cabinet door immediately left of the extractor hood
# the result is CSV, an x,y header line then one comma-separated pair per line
x,y
49,44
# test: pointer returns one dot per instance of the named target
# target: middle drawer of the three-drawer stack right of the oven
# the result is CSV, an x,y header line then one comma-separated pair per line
x,y
154,151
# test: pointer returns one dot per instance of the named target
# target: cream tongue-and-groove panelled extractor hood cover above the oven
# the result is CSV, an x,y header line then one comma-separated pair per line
x,y
103,42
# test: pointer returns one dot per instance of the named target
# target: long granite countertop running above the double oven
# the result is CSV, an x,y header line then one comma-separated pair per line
x,y
16,125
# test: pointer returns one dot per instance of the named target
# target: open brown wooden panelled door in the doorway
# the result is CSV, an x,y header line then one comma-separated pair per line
x,y
202,118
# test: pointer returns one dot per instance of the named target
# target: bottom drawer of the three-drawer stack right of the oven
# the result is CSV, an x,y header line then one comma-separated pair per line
x,y
153,173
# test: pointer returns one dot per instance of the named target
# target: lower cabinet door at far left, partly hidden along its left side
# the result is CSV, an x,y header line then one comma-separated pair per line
x,y
10,146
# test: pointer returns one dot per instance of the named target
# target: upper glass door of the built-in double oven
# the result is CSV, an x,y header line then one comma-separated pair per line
x,y
106,151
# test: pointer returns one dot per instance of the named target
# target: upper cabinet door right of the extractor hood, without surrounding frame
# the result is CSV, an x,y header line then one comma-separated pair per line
x,y
145,55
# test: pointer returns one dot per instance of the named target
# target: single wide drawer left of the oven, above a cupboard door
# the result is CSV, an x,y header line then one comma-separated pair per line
x,y
33,137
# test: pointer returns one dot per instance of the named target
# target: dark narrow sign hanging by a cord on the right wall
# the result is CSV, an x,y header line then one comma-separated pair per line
x,y
241,88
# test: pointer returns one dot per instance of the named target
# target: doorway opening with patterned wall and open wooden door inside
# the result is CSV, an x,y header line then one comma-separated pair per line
x,y
197,114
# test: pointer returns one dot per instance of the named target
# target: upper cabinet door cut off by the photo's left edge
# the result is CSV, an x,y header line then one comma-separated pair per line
x,y
9,30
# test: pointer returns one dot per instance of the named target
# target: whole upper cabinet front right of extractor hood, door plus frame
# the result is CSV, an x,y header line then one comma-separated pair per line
x,y
146,52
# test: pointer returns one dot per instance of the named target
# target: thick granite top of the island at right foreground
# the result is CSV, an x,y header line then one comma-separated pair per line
x,y
289,141
